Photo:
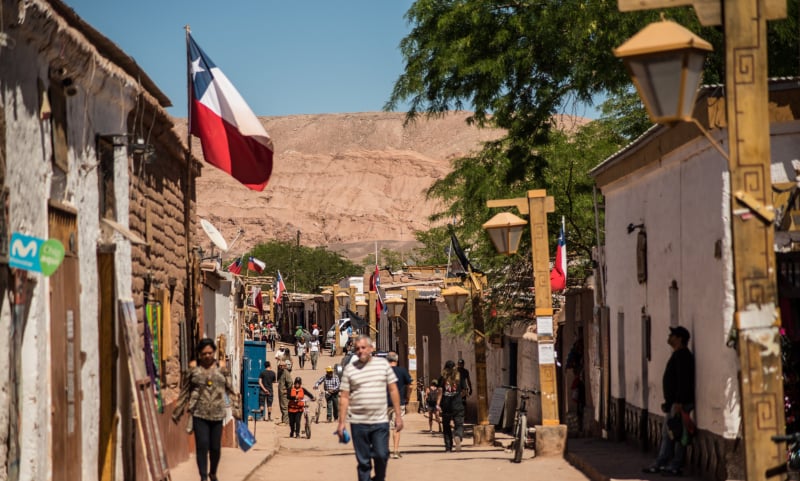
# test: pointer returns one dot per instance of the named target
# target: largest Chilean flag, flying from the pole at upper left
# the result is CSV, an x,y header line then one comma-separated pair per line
x,y
233,138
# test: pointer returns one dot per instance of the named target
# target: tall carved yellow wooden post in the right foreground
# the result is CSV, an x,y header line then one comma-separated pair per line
x,y
749,163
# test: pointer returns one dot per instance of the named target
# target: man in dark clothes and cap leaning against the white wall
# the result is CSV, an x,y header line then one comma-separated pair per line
x,y
678,386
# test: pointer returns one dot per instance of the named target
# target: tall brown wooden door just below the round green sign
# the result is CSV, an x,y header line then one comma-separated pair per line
x,y
65,350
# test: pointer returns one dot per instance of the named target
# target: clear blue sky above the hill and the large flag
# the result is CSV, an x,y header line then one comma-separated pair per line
x,y
285,57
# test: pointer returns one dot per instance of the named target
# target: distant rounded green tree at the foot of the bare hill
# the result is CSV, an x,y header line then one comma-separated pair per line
x,y
304,269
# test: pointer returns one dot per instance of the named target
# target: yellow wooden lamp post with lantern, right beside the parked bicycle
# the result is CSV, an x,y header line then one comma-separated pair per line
x,y
503,228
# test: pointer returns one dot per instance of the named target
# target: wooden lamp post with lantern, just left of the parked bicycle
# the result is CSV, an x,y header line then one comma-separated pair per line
x,y
456,298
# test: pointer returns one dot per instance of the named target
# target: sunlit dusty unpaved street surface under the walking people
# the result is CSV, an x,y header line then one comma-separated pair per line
x,y
323,458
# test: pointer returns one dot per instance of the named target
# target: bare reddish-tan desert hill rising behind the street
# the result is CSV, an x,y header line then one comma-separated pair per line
x,y
344,181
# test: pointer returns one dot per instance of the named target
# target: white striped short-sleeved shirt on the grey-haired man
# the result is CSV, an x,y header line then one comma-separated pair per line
x,y
367,384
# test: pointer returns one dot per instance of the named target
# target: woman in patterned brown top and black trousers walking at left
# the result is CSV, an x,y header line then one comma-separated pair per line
x,y
203,395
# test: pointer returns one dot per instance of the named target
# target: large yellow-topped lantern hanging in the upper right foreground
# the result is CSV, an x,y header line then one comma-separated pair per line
x,y
665,61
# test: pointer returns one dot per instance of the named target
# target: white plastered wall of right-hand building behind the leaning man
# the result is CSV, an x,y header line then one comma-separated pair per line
x,y
683,200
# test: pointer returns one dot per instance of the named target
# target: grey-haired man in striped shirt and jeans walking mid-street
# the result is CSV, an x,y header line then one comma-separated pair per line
x,y
363,399
